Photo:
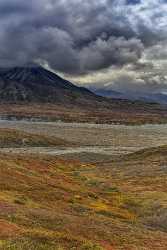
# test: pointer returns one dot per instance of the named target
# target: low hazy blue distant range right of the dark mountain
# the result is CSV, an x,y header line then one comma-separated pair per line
x,y
145,97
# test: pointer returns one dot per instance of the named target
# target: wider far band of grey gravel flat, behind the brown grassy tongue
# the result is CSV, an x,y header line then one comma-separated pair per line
x,y
96,134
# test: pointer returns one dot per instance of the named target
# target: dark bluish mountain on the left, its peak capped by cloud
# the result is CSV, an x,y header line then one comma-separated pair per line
x,y
36,84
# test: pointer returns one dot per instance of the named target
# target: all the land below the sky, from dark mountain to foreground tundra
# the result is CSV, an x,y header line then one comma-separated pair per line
x,y
63,163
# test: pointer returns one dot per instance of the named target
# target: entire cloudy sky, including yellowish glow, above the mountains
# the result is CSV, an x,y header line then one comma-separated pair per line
x,y
111,44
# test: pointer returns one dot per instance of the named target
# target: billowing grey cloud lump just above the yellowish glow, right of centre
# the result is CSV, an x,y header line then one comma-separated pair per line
x,y
113,51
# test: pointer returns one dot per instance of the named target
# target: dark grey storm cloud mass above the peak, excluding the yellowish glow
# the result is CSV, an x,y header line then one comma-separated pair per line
x,y
78,37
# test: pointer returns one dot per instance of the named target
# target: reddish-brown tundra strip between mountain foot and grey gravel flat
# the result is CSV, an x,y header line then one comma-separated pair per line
x,y
115,111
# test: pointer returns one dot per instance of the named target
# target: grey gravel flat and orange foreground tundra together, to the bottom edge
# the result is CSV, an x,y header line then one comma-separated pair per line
x,y
87,199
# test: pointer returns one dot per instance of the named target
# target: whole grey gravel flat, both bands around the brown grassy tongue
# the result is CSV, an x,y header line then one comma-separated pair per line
x,y
93,141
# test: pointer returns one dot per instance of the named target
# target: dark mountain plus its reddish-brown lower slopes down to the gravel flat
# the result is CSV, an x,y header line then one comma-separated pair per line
x,y
37,93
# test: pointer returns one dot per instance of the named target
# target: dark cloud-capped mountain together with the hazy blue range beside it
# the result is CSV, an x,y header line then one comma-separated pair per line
x,y
33,83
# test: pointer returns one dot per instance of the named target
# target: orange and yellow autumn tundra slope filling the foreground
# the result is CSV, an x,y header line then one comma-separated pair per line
x,y
44,199
